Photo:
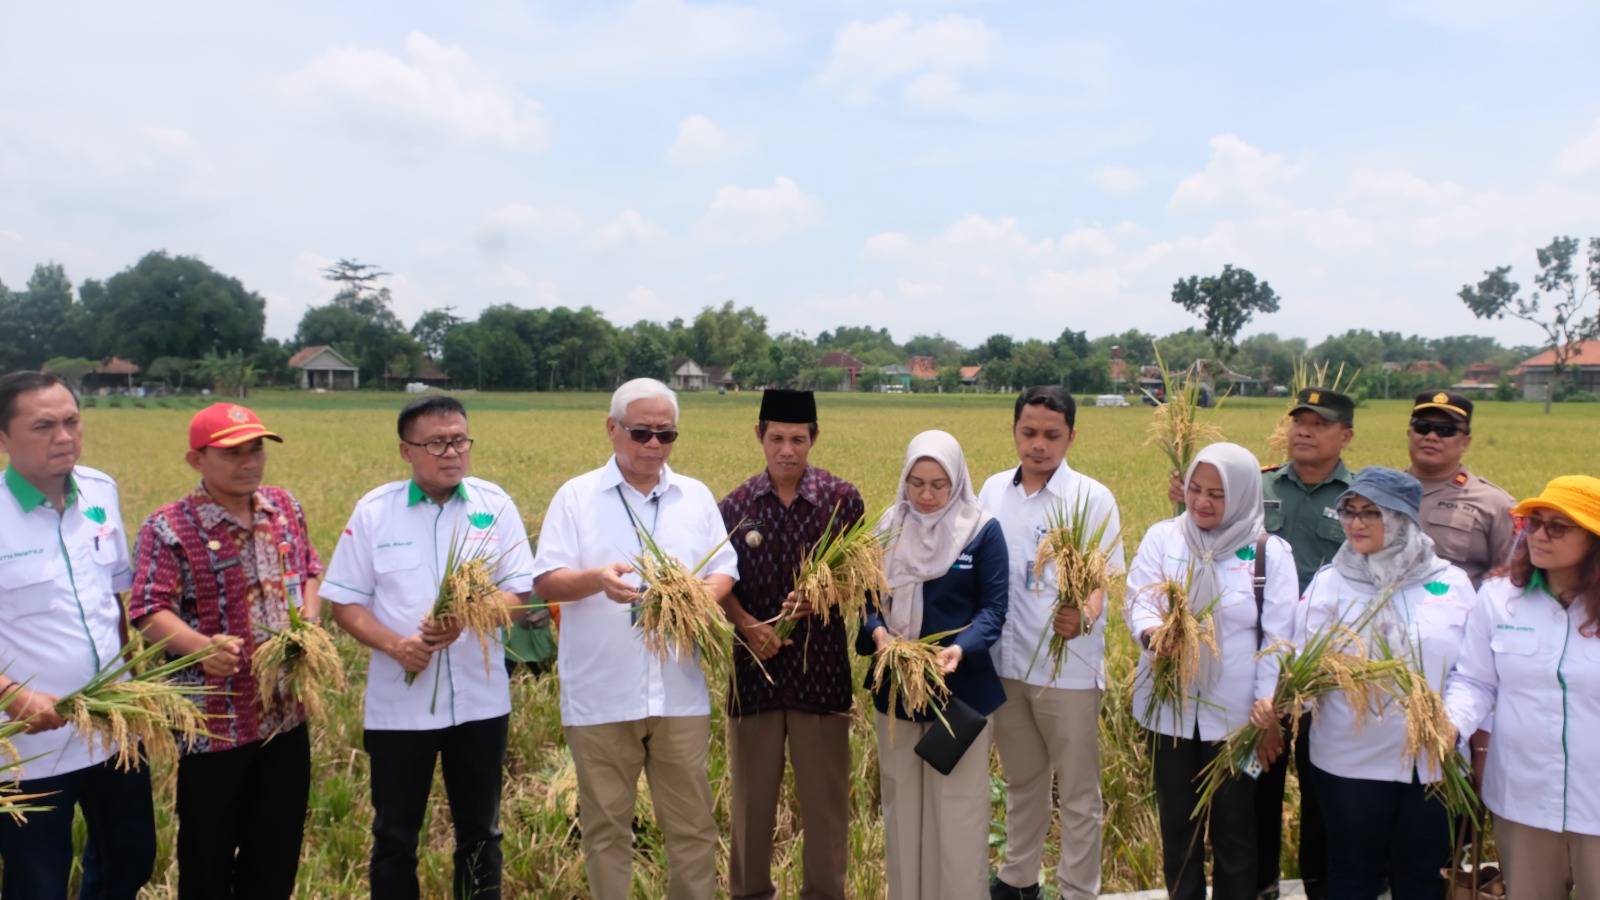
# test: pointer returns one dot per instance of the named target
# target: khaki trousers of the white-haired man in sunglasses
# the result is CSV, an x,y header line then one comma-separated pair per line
x,y
671,750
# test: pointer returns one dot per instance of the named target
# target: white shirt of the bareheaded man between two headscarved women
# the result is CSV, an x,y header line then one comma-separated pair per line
x,y
1030,617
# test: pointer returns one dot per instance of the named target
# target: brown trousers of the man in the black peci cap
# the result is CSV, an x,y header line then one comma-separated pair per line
x,y
820,752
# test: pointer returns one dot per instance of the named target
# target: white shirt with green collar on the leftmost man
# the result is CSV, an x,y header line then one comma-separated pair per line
x,y
60,576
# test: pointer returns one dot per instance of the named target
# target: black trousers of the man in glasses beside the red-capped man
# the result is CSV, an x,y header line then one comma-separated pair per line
x,y
473,757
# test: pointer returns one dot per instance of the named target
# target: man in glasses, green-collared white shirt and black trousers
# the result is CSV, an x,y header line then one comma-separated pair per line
x,y
383,582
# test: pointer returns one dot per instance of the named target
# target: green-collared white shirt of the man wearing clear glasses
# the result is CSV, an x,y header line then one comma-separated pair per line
x,y
390,561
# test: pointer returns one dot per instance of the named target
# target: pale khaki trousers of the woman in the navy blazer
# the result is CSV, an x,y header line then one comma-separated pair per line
x,y
935,827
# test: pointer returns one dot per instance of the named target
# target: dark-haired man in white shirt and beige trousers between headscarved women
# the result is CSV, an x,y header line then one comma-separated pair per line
x,y
1049,725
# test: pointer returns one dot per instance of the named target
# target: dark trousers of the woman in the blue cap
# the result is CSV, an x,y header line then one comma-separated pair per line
x,y
1383,829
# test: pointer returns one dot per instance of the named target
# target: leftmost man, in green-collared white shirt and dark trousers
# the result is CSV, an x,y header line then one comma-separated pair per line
x,y
63,560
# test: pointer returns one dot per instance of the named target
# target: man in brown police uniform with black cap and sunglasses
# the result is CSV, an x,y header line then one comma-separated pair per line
x,y
1468,518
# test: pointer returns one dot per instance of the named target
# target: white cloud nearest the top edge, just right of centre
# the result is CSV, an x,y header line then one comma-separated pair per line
x,y
929,57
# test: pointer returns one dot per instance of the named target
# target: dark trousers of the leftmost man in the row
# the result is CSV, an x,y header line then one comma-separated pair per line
x,y
119,854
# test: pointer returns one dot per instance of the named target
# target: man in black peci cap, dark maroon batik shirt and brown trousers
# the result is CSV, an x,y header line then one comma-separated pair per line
x,y
804,696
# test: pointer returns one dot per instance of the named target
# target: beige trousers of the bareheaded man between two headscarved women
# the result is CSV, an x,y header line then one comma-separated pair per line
x,y
1041,733
